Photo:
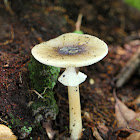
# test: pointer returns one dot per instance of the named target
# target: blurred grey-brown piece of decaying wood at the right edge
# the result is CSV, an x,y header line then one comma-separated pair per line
x,y
129,69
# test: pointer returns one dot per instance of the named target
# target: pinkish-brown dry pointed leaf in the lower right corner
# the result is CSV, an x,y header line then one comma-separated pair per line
x,y
127,119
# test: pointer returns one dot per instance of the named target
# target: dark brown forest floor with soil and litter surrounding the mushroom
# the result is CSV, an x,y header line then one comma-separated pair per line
x,y
30,23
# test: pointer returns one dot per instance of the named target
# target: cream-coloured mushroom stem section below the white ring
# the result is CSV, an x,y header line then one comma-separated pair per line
x,y
75,112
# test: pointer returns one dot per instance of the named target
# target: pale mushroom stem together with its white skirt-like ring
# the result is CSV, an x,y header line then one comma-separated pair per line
x,y
72,79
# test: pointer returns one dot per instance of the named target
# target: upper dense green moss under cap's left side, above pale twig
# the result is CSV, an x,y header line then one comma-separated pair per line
x,y
42,76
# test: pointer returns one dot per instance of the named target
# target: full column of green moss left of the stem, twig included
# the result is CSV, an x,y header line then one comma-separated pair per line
x,y
43,79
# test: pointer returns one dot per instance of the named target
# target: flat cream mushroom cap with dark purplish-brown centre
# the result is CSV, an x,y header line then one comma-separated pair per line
x,y
71,50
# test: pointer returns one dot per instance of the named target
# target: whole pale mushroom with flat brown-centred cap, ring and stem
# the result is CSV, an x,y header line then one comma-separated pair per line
x,y
71,51
